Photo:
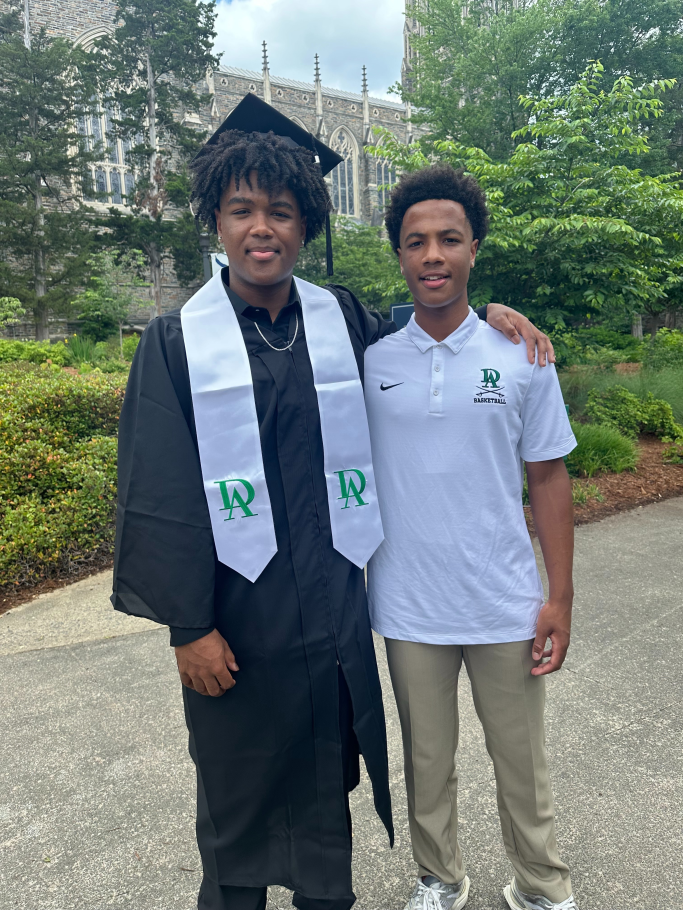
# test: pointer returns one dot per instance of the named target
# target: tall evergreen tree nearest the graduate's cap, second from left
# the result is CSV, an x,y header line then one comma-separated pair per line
x,y
152,63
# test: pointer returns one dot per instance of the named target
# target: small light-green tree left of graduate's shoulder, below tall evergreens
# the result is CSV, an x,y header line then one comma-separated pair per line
x,y
109,299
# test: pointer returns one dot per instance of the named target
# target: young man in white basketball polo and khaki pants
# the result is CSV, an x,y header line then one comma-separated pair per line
x,y
454,412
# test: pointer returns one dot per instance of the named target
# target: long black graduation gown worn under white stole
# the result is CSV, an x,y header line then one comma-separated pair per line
x,y
272,805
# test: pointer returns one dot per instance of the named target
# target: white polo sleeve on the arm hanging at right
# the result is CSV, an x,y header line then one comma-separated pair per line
x,y
546,433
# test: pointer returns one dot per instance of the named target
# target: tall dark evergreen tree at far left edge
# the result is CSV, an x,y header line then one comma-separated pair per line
x,y
45,237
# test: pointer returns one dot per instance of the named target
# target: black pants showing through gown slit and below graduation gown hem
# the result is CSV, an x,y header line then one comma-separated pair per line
x,y
213,896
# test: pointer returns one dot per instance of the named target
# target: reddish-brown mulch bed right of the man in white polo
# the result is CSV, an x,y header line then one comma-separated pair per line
x,y
652,481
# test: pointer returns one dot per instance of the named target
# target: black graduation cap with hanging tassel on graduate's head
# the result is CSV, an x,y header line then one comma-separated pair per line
x,y
252,115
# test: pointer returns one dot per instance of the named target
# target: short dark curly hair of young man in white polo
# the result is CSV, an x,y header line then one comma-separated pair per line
x,y
439,181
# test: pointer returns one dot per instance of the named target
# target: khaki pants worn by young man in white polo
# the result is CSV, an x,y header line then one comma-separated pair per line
x,y
509,702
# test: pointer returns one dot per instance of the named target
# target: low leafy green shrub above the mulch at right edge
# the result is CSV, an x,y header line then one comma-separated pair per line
x,y
621,409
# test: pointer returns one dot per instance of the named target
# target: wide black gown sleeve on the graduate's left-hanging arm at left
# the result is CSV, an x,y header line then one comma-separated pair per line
x,y
164,564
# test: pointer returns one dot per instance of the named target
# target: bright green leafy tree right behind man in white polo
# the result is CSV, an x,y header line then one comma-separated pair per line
x,y
574,233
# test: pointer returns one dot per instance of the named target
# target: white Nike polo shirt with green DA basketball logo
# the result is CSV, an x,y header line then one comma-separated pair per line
x,y
451,423
